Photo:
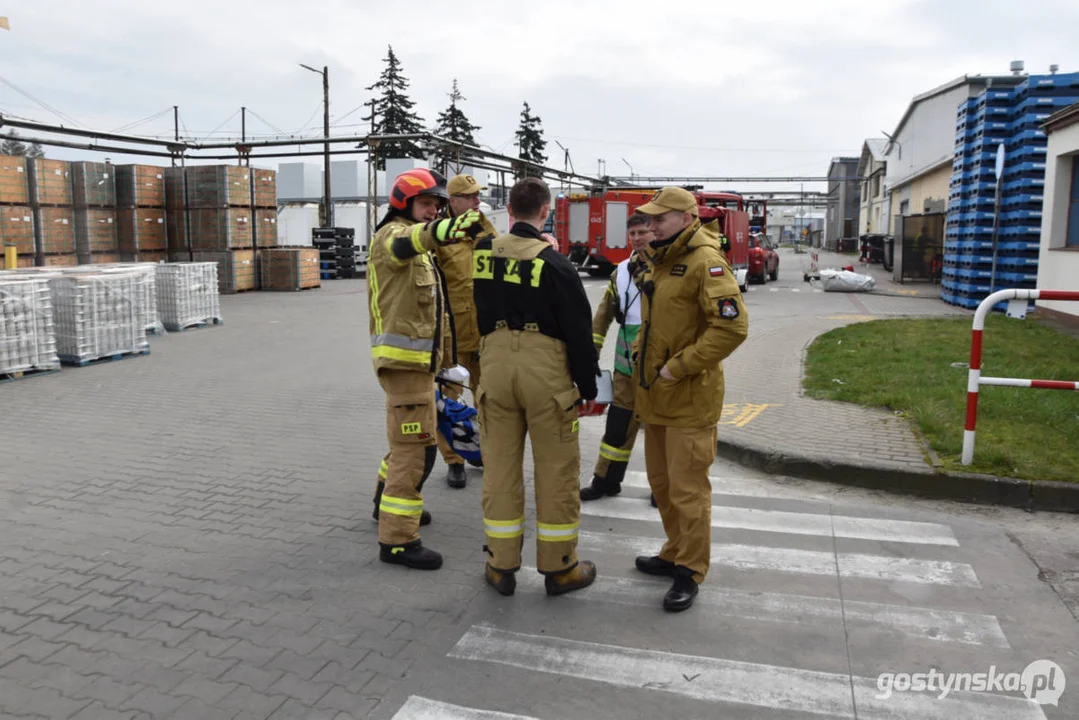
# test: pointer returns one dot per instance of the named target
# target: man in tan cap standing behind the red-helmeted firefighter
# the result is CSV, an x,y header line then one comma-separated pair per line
x,y
456,263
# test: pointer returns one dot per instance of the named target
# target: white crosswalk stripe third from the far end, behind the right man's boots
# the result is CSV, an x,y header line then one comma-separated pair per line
x,y
810,563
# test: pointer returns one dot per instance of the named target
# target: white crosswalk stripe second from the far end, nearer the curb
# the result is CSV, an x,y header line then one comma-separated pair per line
x,y
798,524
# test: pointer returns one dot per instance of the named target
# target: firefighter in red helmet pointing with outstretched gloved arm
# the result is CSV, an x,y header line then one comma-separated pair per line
x,y
407,300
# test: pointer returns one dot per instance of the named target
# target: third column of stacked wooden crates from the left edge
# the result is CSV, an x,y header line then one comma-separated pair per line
x,y
94,198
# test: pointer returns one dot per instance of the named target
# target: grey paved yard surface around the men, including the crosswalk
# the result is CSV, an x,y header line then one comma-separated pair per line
x,y
188,535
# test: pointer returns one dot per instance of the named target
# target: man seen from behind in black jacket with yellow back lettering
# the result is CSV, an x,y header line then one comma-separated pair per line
x,y
536,345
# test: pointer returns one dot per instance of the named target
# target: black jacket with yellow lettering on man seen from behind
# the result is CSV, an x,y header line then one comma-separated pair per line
x,y
558,306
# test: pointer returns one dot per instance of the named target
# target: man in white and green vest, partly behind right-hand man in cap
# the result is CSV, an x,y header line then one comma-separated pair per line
x,y
622,303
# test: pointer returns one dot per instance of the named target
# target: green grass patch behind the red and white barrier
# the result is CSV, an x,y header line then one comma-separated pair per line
x,y
906,365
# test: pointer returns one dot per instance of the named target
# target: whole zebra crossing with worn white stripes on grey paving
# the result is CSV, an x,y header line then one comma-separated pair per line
x,y
787,585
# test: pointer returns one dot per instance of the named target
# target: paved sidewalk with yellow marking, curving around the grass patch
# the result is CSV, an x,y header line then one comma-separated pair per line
x,y
764,377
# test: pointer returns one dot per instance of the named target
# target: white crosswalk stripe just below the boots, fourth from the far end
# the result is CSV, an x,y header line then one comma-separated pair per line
x,y
914,622
